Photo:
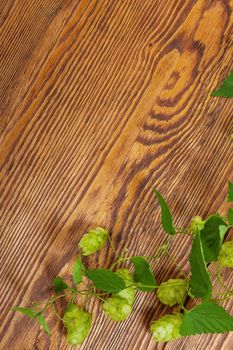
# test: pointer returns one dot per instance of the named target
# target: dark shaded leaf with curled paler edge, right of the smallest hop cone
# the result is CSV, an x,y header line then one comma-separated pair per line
x,y
211,237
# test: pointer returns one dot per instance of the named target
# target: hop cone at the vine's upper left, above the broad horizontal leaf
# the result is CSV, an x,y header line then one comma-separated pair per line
x,y
93,241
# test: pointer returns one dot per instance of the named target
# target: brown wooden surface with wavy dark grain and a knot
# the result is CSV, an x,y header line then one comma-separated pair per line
x,y
100,99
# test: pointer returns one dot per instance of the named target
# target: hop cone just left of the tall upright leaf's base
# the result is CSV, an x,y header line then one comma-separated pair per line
x,y
172,291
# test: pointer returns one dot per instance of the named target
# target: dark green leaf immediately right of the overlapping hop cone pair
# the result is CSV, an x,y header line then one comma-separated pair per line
x,y
143,274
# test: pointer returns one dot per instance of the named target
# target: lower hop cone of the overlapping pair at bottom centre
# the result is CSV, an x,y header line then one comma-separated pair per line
x,y
117,309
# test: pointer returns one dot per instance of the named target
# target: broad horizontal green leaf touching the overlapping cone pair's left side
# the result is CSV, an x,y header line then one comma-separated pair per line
x,y
106,280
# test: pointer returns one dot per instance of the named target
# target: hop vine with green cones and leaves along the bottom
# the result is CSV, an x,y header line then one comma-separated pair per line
x,y
116,287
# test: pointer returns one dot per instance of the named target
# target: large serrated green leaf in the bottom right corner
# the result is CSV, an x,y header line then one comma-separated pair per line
x,y
207,317
